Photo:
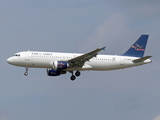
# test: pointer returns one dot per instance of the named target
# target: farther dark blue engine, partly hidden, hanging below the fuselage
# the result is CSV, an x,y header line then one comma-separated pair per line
x,y
51,72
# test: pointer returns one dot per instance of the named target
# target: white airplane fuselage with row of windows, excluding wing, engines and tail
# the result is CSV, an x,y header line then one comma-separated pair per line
x,y
38,59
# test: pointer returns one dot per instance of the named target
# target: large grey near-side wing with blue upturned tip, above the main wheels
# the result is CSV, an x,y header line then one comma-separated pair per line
x,y
80,60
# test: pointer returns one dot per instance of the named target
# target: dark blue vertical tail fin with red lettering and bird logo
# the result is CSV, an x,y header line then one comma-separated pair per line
x,y
138,48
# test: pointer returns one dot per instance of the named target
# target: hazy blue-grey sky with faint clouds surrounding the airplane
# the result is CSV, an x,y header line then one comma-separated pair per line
x,y
79,26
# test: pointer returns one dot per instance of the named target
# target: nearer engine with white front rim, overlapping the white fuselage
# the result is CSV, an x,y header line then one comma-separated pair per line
x,y
60,65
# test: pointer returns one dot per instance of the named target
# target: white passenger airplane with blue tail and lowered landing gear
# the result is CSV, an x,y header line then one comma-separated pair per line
x,y
58,63
